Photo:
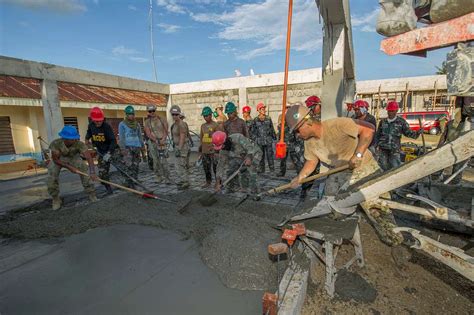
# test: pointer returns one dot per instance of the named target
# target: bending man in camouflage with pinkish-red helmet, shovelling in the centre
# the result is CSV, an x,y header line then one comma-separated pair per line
x,y
233,151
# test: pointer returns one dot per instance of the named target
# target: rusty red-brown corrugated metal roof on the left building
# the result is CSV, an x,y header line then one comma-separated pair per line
x,y
19,87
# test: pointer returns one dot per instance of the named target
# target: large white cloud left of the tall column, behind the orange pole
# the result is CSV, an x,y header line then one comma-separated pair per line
x,y
264,24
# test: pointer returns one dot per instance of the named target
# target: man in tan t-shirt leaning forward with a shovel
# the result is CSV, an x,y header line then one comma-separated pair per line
x,y
336,142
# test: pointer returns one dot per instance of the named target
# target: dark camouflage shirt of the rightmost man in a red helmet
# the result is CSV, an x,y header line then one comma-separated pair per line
x,y
389,134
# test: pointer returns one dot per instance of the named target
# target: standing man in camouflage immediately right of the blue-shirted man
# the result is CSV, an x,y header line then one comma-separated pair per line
x,y
156,130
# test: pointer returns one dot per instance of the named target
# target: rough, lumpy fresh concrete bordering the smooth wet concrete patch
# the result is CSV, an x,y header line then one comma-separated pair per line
x,y
233,241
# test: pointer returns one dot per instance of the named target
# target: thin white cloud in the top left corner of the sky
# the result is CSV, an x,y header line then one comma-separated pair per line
x,y
63,6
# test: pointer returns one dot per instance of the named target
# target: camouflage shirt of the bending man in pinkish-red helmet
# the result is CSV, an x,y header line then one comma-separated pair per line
x,y
240,147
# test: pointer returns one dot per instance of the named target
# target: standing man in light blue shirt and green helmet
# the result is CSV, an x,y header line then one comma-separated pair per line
x,y
131,143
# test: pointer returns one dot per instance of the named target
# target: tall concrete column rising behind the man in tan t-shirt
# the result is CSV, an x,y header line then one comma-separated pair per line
x,y
333,88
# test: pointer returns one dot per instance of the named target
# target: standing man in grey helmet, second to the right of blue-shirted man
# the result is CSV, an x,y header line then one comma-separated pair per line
x,y
180,136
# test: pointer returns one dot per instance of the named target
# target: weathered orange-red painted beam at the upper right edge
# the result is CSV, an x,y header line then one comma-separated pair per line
x,y
434,36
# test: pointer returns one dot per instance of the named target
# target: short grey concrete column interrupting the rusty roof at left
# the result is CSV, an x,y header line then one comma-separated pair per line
x,y
51,108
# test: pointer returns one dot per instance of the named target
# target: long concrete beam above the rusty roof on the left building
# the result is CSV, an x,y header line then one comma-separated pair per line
x,y
39,70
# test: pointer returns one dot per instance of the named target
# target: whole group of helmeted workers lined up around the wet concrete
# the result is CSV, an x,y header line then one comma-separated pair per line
x,y
230,144
